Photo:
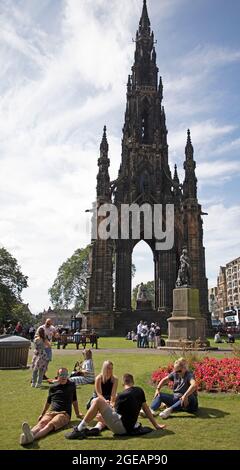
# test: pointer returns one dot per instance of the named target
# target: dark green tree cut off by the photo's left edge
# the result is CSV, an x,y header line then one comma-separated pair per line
x,y
12,282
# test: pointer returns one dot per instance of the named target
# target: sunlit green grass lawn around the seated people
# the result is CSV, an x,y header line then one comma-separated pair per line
x,y
216,425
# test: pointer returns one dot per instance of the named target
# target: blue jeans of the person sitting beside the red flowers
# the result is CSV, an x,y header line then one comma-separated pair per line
x,y
174,402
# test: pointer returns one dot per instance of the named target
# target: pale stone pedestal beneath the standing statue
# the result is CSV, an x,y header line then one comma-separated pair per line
x,y
186,327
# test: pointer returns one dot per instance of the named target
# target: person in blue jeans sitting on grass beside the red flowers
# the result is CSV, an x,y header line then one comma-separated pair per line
x,y
184,396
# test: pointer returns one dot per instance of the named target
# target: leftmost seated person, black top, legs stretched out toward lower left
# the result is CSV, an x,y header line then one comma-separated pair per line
x,y
61,397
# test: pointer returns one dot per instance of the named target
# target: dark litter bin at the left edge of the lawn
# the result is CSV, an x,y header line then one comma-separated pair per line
x,y
13,352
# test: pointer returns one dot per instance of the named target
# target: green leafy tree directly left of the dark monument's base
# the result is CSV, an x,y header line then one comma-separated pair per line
x,y
69,287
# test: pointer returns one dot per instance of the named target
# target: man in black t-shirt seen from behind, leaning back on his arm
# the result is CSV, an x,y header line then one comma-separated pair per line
x,y
120,420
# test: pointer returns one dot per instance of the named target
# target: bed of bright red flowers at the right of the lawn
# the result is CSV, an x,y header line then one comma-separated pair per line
x,y
221,375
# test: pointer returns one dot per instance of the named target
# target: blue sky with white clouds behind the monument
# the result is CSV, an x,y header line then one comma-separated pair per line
x,y
63,72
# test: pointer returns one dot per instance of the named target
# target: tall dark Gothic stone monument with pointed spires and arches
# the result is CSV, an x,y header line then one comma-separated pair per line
x,y
145,178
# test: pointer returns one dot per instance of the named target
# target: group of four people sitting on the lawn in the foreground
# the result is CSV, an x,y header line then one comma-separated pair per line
x,y
117,412
